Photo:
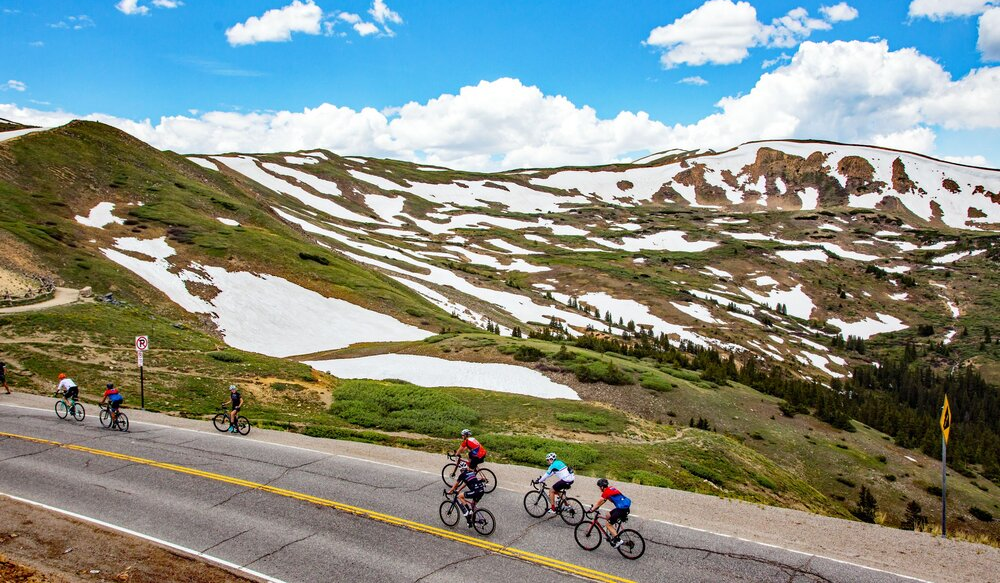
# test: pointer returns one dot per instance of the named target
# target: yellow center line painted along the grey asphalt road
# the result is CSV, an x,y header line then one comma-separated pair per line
x,y
491,547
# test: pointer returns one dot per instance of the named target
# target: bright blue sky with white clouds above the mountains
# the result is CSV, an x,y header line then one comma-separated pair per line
x,y
185,60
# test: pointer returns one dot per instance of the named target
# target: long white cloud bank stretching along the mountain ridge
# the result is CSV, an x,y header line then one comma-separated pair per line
x,y
856,92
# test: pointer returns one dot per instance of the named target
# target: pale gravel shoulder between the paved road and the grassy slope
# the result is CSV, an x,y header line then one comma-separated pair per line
x,y
917,555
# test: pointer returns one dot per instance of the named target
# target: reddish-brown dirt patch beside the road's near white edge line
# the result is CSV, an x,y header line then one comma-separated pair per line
x,y
39,546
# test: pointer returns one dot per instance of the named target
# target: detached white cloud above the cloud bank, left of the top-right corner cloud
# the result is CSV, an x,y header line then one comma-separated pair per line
x,y
721,32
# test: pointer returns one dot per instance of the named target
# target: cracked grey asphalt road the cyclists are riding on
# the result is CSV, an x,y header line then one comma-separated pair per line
x,y
296,540
